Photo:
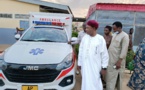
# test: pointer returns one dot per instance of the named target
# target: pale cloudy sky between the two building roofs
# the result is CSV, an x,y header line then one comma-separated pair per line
x,y
80,7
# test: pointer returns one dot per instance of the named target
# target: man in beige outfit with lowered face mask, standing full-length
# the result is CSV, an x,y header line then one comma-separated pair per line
x,y
117,55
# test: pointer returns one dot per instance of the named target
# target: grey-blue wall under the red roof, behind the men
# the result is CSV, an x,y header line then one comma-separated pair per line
x,y
129,20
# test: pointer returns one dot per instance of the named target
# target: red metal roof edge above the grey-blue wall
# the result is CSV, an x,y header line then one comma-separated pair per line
x,y
116,7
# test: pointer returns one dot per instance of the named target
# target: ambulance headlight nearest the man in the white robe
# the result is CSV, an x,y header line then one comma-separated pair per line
x,y
67,62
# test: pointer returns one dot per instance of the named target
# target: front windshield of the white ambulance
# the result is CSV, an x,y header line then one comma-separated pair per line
x,y
45,34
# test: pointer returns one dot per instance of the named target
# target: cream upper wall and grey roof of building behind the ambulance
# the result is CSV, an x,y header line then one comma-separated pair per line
x,y
15,13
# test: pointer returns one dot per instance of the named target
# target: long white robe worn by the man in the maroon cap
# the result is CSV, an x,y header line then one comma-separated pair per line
x,y
93,56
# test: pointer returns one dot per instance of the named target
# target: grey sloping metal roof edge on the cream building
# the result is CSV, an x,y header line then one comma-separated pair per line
x,y
48,4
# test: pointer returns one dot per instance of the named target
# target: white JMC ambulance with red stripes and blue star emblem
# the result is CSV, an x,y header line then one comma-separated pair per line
x,y
41,59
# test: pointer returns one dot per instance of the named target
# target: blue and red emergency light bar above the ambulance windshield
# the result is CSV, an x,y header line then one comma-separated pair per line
x,y
48,23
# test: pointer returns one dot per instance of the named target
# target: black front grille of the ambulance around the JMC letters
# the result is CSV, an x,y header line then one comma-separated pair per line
x,y
45,74
